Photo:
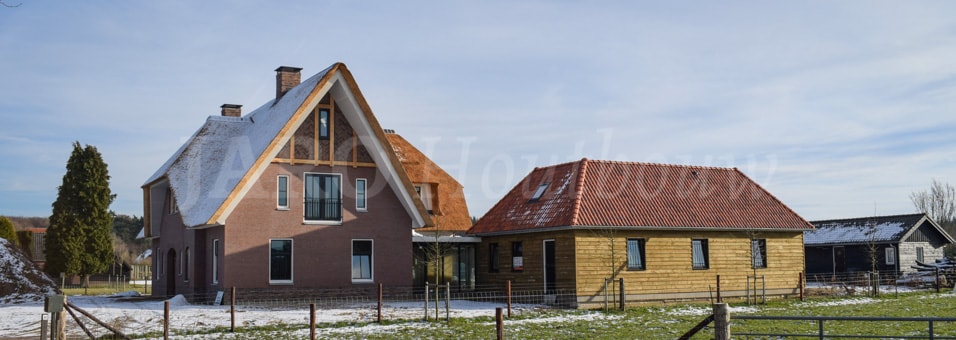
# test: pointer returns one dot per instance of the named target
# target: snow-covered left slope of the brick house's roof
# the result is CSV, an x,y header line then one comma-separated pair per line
x,y
206,169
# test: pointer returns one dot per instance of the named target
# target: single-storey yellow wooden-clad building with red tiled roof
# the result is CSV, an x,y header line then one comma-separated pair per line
x,y
667,230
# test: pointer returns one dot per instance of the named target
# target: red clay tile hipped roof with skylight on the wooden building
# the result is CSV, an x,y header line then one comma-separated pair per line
x,y
628,194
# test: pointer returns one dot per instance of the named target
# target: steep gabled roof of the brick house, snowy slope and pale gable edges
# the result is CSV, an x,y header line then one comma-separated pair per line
x,y
217,165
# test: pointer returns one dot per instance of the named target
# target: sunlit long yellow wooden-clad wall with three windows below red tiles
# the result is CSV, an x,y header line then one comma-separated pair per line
x,y
668,261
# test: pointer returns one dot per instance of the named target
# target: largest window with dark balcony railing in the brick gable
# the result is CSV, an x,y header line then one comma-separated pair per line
x,y
323,197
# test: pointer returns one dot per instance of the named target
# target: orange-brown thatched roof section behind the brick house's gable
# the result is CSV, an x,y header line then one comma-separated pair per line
x,y
451,214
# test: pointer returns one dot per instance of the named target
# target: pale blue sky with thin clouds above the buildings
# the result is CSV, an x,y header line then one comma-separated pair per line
x,y
839,109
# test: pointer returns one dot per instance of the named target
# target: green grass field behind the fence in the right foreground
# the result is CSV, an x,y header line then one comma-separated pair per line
x,y
644,322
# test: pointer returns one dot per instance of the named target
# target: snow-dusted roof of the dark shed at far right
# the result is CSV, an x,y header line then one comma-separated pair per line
x,y
875,229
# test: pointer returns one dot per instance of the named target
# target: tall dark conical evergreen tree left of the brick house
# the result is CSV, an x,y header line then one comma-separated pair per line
x,y
78,241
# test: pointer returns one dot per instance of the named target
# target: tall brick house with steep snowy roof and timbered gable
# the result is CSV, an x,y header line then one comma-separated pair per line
x,y
302,193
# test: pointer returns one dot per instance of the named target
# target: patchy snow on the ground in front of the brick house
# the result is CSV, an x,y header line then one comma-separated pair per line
x,y
138,317
